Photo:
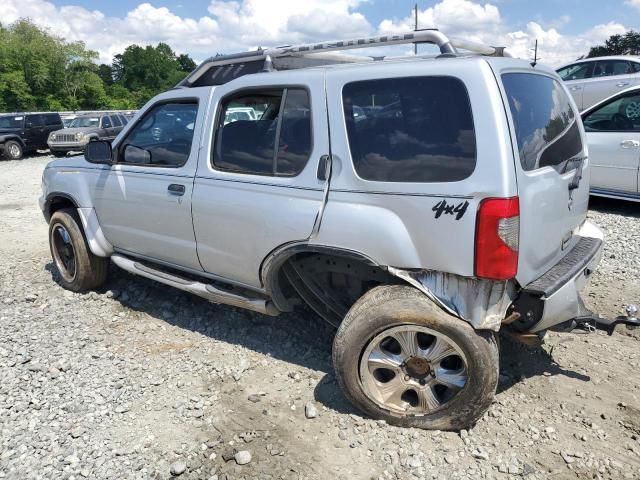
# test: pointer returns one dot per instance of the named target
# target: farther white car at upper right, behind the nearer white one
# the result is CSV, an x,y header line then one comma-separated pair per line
x,y
593,79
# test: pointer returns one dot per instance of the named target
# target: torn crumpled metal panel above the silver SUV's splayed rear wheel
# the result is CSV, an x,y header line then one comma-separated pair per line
x,y
482,303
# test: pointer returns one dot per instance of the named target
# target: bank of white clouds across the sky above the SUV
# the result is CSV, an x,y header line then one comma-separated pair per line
x,y
233,25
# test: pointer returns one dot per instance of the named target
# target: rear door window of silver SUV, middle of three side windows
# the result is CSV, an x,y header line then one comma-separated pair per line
x,y
264,133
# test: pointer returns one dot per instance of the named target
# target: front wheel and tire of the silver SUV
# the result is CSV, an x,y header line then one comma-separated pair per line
x,y
79,268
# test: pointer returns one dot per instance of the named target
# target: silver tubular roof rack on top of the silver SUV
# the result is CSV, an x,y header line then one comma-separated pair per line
x,y
222,69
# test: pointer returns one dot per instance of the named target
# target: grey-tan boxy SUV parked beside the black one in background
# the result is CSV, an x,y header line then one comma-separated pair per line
x,y
84,129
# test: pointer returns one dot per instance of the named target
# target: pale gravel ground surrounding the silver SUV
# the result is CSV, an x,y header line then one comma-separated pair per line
x,y
142,381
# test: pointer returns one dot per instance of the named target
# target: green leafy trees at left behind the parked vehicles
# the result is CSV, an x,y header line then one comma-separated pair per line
x,y
39,71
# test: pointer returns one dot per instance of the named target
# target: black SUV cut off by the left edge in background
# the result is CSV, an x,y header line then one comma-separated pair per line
x,y
22,133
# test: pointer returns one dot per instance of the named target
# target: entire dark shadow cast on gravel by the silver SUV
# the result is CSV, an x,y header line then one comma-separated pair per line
x,y
299,338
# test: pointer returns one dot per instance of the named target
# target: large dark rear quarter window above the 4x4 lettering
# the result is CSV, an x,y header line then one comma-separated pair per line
x,y
416,129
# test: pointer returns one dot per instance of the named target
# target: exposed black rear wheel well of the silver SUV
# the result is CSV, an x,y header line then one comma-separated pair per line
x,y
329,282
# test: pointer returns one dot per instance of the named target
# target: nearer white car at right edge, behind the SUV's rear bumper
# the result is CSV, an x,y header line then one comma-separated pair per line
x,y
613,136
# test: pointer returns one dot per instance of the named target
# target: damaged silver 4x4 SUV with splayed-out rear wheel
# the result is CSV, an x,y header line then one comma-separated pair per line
x,y
417,204
